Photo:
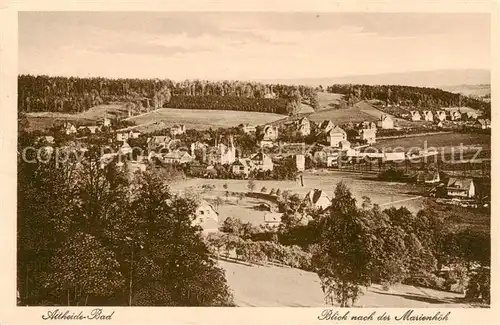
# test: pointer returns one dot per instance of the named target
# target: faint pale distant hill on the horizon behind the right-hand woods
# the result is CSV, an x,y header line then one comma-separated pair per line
x,y
434,78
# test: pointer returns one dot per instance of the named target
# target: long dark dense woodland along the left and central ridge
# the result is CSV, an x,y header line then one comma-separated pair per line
x,y
74,95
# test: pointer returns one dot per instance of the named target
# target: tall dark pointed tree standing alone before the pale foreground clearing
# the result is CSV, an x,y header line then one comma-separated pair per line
x,y
343,260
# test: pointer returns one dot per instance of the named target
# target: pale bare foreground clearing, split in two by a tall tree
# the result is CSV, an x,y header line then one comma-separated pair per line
x,y
273,286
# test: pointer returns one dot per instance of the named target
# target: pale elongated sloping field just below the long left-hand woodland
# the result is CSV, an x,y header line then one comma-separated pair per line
x,y
203,119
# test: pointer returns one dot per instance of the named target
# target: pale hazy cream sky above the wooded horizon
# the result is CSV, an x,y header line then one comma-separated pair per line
x,y
248,45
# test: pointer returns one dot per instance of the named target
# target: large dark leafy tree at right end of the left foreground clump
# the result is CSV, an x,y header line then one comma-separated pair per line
x,y
175,258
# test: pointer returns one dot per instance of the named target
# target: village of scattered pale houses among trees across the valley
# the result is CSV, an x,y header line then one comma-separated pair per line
x,y
288,151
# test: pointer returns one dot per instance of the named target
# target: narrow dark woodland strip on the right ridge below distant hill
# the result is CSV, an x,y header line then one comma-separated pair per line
x,y
419,97
